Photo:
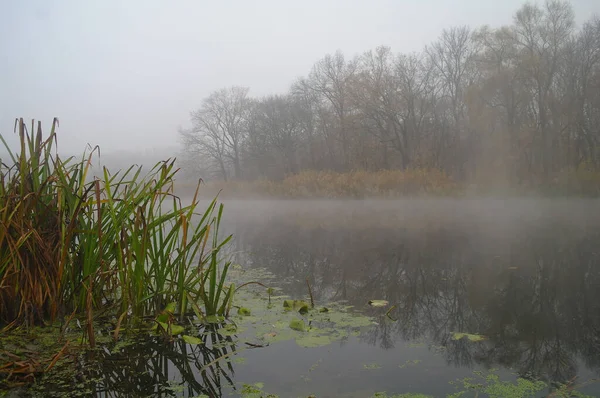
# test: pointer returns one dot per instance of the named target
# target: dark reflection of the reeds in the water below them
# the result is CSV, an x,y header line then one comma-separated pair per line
x,y
152,367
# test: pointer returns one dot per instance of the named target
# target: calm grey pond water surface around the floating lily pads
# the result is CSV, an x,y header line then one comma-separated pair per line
x,y
523,273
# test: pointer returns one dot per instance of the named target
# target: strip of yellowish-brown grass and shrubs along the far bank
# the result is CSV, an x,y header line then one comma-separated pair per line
x,y
581,182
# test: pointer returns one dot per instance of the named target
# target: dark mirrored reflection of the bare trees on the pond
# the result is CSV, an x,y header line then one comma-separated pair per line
x,y
531,286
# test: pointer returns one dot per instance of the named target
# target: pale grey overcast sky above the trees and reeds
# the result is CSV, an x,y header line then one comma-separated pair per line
x,y
126,73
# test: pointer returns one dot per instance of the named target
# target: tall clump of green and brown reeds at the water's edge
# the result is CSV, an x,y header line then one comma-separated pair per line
x,y
72,243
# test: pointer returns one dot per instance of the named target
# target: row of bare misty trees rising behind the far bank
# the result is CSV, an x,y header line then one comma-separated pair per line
x,y
518,103
